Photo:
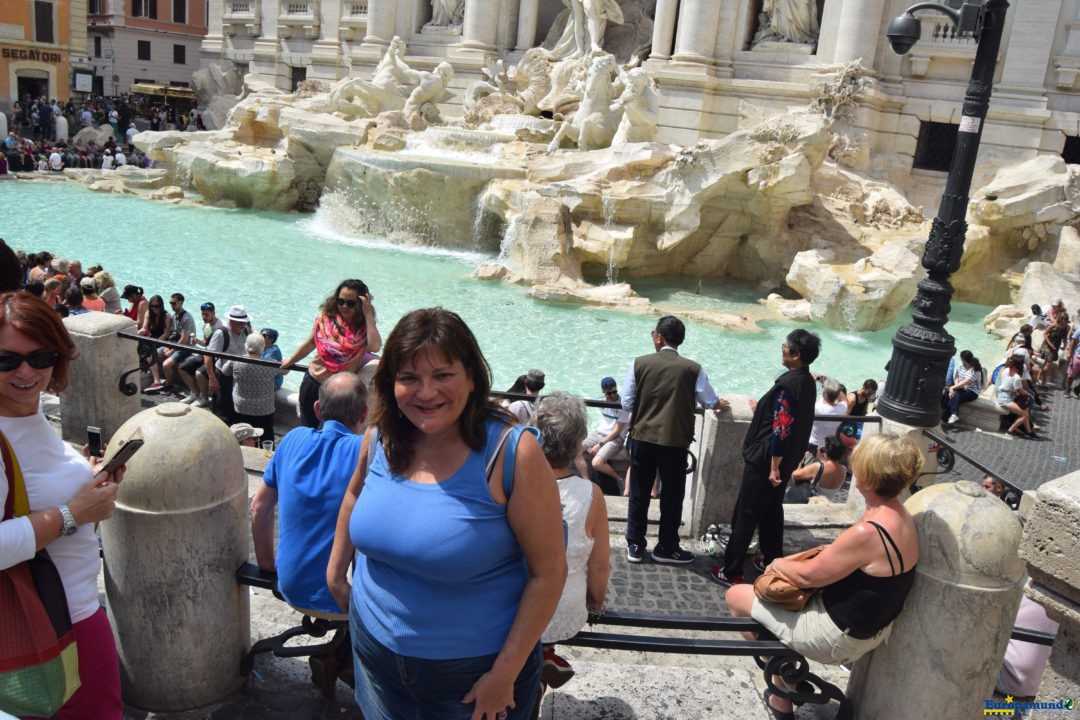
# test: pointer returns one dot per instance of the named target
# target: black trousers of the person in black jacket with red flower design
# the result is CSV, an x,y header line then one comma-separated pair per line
x,y
760,507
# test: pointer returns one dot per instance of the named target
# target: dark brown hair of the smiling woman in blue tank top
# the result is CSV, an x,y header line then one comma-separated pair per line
x,y
431,330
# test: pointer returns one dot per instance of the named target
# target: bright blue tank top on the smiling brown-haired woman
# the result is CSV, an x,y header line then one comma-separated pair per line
x,y
439,572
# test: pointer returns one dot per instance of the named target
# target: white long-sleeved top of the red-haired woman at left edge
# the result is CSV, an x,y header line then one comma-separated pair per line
x,y
53,472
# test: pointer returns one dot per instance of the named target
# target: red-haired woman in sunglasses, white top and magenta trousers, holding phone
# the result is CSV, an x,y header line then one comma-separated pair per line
x,y
66,497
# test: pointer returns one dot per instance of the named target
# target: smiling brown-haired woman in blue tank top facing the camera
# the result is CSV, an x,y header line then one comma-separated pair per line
x,y
458,540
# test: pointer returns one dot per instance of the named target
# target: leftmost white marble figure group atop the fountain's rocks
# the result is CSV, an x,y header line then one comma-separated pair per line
x,y
387,90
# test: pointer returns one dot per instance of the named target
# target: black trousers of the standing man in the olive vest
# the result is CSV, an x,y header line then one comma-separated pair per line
x,y
646,459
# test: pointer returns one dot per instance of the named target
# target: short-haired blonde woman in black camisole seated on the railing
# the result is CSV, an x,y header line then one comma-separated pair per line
x,y
865,576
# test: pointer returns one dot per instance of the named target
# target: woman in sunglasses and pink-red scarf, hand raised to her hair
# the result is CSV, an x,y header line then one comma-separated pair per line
x,y
344,337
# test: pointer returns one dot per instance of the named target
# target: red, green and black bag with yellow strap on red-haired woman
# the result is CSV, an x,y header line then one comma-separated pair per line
x,y
39,665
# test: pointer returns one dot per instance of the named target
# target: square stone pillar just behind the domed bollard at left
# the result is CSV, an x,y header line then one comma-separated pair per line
x,y
93,396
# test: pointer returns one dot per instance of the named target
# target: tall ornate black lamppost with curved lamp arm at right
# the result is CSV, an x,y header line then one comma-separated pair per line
x,y
922,349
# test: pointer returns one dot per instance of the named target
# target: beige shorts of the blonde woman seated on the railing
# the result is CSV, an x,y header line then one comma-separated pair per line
x,y
813,634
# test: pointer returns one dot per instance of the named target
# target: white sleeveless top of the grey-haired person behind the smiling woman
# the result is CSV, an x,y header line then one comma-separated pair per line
x,y
571,616
